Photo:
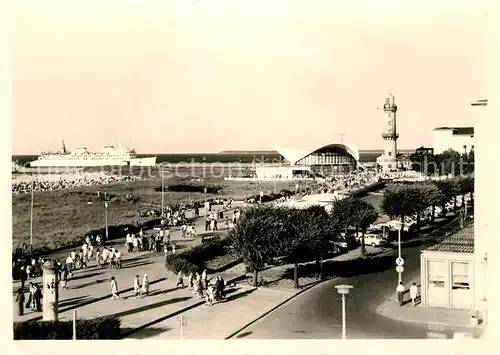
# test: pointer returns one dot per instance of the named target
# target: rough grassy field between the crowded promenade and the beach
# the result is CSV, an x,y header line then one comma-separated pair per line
x,y
61,216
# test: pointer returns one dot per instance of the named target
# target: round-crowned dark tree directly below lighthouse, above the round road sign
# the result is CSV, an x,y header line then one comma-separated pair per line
x,y
401,201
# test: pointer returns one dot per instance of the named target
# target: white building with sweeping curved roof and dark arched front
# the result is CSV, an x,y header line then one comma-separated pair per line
x,y
331,158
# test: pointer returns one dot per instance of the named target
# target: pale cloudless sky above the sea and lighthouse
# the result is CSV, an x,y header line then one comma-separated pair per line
x,y
205,76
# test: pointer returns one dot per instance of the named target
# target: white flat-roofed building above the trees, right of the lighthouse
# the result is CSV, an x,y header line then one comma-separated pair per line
x,y
460,139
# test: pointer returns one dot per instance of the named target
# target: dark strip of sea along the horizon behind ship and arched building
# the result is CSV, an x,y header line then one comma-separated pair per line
x,y
365,156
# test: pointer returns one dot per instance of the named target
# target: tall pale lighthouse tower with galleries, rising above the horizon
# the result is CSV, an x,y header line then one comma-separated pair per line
x,y
390,136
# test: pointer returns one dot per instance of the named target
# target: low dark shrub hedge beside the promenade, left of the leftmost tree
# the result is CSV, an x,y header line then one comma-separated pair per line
x,y
194,259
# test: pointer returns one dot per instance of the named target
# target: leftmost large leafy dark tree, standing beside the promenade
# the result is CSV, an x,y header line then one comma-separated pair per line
x,y
253,237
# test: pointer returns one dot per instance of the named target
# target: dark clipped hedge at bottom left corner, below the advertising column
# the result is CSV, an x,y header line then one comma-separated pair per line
x,y
98,328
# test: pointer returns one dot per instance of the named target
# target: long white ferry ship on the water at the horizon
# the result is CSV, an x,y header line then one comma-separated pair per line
x,y
81,157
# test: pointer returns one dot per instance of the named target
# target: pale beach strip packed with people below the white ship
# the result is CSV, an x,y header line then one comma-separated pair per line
x,y
48,182
